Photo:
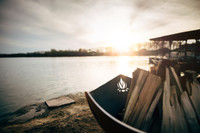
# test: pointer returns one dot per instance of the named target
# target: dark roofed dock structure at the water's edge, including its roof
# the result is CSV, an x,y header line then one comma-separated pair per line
x,y
184,47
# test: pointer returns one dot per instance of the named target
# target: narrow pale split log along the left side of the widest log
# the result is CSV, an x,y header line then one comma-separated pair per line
x,y
136,89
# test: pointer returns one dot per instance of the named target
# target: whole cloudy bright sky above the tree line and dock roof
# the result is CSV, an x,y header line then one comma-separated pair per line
x,y
41,25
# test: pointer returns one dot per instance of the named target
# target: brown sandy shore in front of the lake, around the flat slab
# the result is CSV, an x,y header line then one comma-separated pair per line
x,y
74,118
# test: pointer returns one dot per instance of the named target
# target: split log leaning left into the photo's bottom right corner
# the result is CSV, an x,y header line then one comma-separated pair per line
x,y
189,113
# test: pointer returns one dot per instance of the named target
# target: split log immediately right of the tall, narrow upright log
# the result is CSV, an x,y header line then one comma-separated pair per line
x,y
178,118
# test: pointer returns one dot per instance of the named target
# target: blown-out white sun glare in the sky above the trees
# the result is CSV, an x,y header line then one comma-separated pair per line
x,y
119,36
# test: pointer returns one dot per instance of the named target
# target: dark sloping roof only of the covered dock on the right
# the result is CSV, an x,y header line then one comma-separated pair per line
x,y
195,34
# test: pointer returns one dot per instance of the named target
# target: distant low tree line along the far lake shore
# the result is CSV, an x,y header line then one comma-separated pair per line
x,y
83,52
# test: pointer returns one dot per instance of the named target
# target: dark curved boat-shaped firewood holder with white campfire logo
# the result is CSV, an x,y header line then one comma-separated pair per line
x,y
107,101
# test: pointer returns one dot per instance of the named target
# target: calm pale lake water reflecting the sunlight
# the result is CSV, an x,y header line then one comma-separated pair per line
x,y
26,81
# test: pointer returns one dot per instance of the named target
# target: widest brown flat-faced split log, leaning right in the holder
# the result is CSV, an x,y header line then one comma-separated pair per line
x,y
145,99
